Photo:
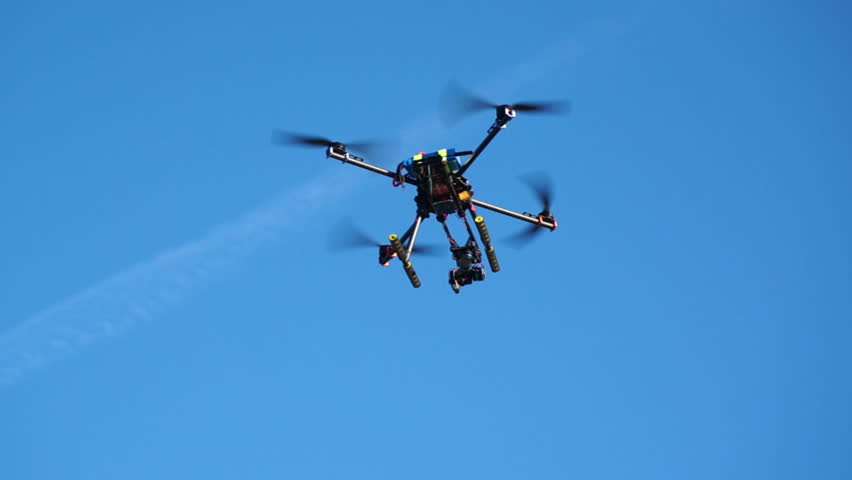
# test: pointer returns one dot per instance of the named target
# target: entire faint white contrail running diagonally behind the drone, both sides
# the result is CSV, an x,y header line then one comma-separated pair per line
x,y
143,291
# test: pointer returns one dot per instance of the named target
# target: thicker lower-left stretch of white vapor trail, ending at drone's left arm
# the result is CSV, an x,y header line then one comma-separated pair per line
x,y
141,292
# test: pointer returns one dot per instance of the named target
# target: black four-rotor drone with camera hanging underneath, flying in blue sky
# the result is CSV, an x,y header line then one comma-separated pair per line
x,y
443,191
